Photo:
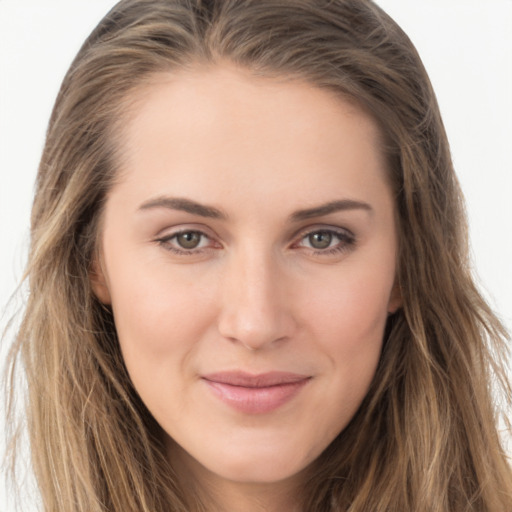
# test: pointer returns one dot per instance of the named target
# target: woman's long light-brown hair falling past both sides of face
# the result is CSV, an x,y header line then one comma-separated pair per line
x,y
425,437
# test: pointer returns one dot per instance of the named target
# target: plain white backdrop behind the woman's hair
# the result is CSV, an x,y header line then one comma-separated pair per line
x,y
466,46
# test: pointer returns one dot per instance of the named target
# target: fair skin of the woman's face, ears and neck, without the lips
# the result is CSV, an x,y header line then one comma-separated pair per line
x,y
257,294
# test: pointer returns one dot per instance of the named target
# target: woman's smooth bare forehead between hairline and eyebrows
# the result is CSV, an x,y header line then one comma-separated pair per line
x,y
224,128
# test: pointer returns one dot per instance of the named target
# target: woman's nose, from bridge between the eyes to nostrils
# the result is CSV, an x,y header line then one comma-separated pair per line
x,y
255,310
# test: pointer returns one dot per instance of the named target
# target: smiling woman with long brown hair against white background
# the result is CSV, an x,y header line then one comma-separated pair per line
x,y
249,286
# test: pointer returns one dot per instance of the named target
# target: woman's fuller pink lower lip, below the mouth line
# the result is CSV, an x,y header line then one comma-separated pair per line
x,y
256,400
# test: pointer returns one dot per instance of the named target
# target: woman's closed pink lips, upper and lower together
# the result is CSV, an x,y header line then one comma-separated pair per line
x,y
255,394
